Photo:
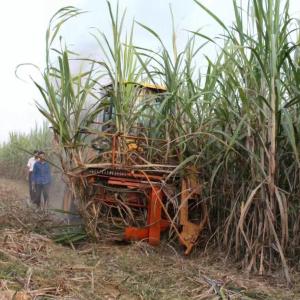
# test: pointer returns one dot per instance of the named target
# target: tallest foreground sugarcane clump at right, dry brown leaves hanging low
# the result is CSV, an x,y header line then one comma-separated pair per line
x,y
255,86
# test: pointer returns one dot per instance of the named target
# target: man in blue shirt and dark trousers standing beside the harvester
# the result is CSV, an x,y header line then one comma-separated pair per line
x,y
41,179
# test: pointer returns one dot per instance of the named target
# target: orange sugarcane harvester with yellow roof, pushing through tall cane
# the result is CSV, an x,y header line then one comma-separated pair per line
x,y
147,198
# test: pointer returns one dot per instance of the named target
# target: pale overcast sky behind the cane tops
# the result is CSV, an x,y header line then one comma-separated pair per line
x,y
23,26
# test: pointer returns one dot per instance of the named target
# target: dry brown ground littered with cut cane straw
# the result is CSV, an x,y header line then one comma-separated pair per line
x,y
33,266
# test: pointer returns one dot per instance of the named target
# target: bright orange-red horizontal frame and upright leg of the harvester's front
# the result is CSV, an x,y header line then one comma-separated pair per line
x,y
136,183
